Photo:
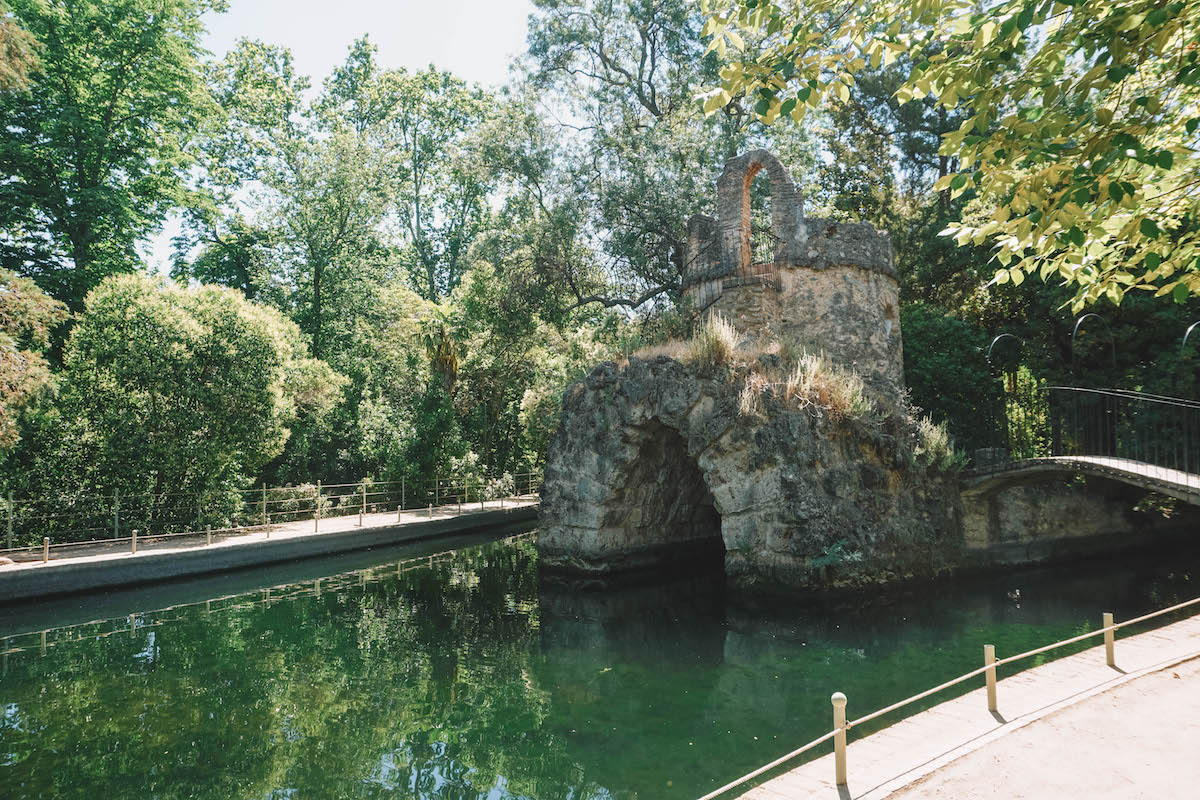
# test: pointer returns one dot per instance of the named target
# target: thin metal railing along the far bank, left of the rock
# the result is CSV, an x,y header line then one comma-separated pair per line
x,y
71,521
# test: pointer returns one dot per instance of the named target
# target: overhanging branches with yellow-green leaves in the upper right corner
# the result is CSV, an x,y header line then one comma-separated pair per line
x,y
1078,121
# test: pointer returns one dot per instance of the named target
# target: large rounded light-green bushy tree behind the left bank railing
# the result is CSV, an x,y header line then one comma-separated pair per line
x,y
169,389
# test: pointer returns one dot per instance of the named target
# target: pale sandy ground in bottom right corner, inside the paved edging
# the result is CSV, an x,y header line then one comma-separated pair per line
x,y
1138,741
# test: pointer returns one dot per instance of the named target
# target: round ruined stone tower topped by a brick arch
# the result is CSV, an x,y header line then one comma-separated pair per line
x,y
829,287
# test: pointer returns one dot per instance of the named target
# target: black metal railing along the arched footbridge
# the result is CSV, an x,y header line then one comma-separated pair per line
x,y
1045,422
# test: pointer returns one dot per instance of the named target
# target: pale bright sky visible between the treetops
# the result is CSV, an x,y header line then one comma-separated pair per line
x,y
473,39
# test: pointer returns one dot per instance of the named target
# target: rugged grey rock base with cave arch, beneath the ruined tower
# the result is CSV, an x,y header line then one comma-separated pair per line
x,y
795,501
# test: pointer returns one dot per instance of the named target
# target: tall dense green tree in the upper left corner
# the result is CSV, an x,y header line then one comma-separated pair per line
x,y
92,155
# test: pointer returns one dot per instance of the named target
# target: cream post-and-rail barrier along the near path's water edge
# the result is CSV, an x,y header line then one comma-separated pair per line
x,y
1108,630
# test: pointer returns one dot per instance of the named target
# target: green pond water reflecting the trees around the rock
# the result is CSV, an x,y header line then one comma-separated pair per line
x,y
467,678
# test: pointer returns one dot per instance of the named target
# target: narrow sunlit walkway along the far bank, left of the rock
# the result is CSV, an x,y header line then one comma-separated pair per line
x,y
122,549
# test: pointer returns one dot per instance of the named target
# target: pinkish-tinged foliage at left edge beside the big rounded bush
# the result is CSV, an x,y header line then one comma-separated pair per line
x,y
27,318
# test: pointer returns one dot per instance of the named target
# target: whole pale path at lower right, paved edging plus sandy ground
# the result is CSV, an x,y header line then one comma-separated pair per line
x,y
1057,735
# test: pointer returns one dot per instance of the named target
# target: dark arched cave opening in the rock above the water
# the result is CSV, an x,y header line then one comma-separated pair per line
x,y
670,512
